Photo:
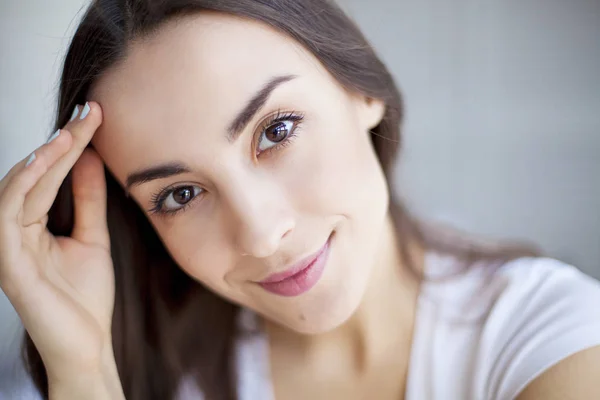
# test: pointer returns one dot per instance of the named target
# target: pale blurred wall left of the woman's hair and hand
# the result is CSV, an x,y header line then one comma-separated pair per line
x,y
33,37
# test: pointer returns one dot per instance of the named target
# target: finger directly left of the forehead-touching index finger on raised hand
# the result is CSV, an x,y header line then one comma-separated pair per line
x,y
23,178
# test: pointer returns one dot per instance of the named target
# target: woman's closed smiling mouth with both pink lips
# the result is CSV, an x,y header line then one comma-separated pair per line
x,y
300,277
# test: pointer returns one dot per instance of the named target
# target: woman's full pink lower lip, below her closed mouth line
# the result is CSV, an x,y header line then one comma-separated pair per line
x,y
304,280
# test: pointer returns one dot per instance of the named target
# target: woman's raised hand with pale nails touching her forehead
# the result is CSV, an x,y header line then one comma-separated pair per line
x,y
61,287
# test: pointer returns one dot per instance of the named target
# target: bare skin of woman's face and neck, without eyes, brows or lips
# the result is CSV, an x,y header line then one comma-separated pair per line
x,y
259,213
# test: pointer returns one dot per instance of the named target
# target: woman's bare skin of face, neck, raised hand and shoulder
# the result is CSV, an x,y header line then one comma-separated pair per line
x,y
172,101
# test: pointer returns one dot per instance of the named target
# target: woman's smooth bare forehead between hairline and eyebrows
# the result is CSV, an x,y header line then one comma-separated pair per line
x,y
192,76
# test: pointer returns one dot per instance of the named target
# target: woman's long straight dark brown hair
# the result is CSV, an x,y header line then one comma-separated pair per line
x,y
166,325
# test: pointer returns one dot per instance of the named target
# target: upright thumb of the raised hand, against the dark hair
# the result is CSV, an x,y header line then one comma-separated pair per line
x,y
89,193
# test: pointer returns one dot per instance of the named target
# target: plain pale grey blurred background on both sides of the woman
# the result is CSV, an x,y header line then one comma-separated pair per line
x,y
502,101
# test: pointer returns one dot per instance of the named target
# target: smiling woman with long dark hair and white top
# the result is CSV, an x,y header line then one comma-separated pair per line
x,y
243,242
